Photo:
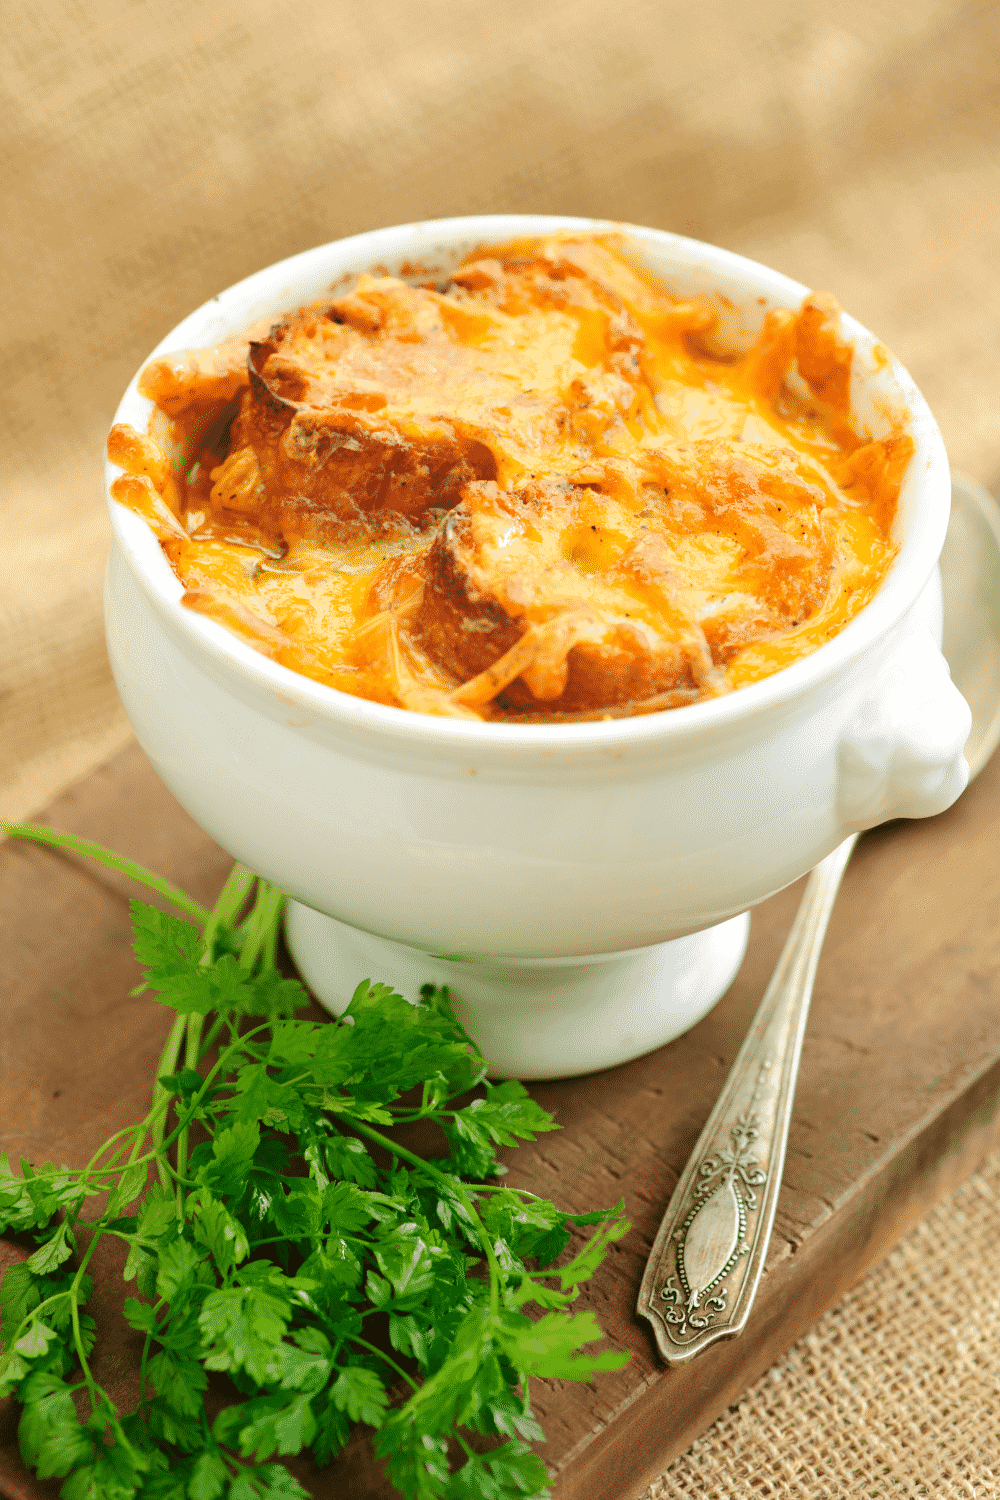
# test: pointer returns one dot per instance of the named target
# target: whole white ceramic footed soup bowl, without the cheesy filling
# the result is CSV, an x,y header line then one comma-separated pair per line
x,y
581,887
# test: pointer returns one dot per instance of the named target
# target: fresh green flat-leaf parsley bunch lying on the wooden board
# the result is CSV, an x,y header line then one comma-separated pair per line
x,y
329,1286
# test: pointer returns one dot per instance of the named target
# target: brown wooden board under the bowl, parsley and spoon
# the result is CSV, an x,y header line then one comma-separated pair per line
x,y
899,1100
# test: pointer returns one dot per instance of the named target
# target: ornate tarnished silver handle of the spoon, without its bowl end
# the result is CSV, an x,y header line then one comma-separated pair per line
x,y
705,1265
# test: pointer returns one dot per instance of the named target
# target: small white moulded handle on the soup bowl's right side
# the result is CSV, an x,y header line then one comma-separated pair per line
x,y
902,755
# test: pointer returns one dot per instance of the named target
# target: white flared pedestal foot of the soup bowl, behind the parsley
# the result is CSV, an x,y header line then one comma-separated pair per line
x,y
536,1018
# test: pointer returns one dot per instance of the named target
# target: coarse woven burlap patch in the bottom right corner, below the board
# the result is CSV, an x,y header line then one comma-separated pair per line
x,y
894,1396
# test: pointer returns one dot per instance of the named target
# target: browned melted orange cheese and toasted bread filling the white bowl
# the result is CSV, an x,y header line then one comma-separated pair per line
x,y
537,491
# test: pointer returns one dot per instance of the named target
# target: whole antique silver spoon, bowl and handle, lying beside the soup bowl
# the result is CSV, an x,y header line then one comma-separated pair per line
x,y
707,1261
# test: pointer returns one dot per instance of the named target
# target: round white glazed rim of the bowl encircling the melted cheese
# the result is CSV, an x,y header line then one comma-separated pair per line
x,y
918,554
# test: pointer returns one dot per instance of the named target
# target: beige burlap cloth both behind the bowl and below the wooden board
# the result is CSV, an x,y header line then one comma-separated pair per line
x,y
152,154
